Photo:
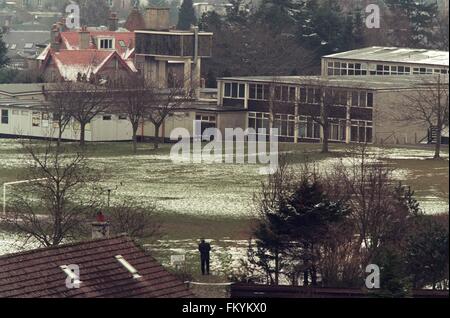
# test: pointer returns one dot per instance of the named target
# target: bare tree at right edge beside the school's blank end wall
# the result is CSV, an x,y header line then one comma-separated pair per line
x,y
428,105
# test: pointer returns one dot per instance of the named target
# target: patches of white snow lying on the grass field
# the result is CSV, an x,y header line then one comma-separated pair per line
x,y
204,189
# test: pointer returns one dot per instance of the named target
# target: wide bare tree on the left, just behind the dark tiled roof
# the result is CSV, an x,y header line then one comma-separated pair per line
x,y
61,196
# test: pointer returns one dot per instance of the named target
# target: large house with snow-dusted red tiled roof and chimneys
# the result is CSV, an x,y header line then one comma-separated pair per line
x,y
87,52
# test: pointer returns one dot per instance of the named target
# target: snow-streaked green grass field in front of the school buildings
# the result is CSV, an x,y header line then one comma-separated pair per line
x,y
215,201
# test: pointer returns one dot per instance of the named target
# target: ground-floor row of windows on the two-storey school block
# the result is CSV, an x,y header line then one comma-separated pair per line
x,y
308,128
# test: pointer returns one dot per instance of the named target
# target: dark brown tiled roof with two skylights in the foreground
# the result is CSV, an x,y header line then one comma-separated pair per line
x,y
37,273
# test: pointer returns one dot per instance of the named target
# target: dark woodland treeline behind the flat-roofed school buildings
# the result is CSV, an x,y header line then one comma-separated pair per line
x,y
288,37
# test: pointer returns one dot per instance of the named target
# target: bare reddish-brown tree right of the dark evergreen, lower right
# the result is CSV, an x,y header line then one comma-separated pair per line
x,y
368,186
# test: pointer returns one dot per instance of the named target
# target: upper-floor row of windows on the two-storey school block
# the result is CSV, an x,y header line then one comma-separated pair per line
x,y
307,95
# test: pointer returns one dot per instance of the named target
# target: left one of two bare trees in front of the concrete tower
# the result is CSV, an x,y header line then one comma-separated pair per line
x,y
133,98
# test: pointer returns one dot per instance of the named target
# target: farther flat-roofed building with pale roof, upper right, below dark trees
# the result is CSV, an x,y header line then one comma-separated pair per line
x,y
386,61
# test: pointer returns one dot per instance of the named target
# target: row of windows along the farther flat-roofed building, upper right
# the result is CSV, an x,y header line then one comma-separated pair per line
x,y
344,68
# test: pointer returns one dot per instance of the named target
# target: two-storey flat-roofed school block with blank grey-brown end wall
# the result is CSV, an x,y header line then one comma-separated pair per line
x,y
360,111
